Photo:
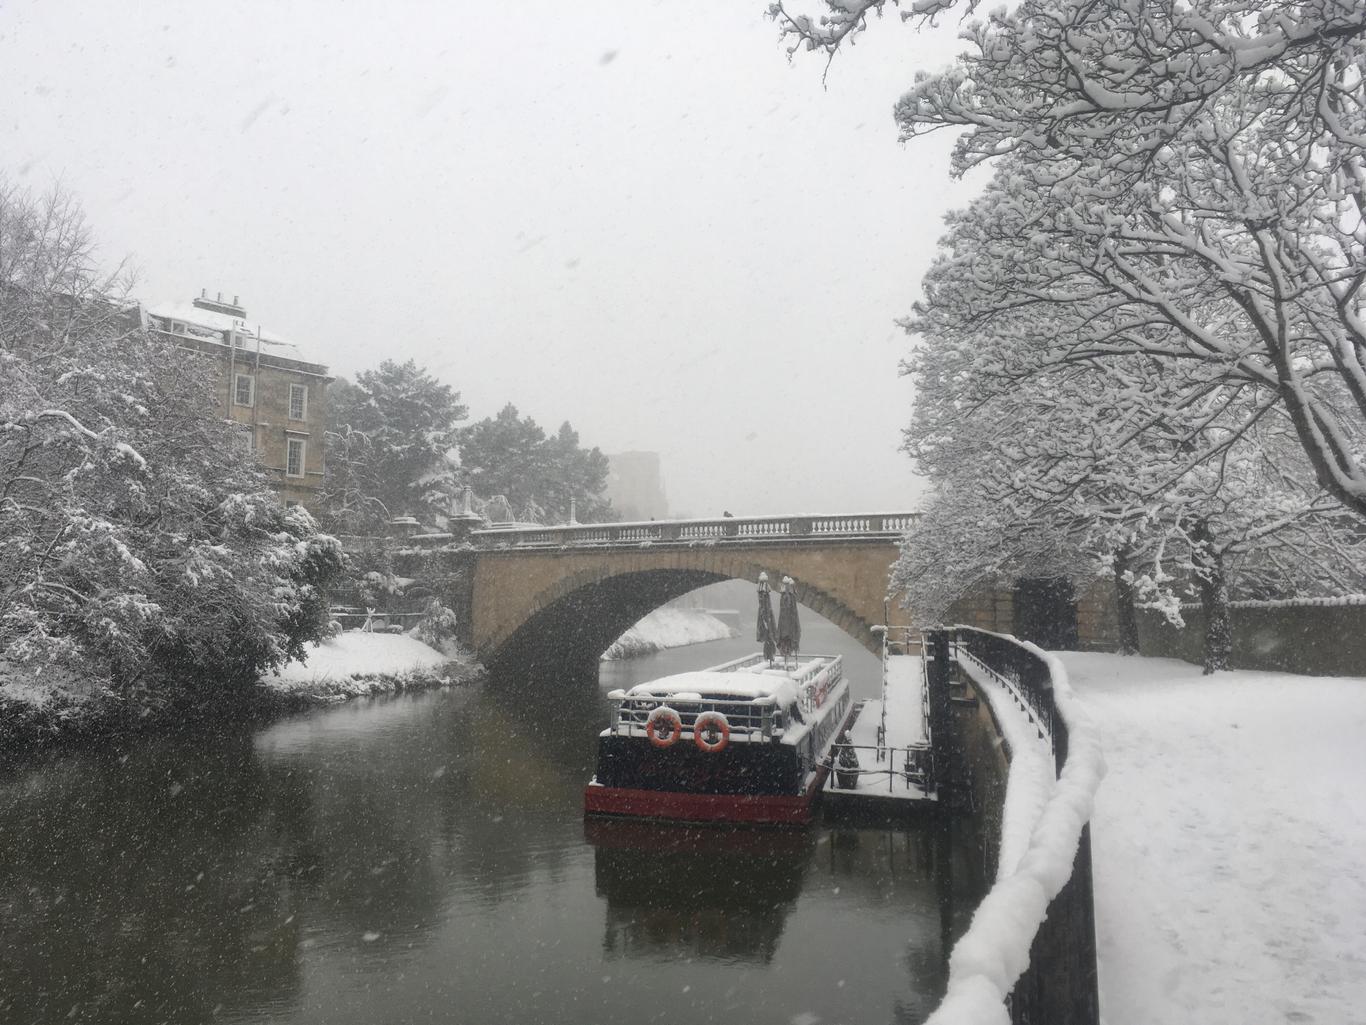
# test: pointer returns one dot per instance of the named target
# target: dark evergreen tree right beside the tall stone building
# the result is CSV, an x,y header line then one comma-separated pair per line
x,y
391,448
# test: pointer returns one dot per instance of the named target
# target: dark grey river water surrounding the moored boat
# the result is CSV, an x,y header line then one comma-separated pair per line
x,y
426,860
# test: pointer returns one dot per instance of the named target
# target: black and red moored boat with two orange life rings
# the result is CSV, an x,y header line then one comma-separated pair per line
x,y
748,741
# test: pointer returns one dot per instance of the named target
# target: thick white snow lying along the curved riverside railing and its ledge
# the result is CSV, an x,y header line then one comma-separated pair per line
x,y
994,953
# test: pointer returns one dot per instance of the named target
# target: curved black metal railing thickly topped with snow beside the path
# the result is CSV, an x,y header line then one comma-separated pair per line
x,y
1029,955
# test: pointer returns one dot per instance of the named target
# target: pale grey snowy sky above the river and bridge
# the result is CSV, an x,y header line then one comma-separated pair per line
x,y
639,218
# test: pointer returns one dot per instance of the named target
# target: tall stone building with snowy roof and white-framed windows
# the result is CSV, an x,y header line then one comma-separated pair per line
x,y
266,385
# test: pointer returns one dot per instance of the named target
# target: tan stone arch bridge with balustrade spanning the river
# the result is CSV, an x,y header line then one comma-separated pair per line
x,y
554,599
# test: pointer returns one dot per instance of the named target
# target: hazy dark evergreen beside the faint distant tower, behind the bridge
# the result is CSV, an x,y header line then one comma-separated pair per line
x,y
539,476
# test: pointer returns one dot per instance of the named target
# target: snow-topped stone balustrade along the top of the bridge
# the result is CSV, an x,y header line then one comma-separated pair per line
x,y
871,525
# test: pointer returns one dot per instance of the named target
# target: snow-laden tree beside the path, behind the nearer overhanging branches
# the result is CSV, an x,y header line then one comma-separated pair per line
x,y
1077,446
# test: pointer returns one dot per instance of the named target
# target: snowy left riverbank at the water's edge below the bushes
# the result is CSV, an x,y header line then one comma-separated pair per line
x,y
58,710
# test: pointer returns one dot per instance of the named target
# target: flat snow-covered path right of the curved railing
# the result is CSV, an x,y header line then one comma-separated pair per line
x,y
1230,844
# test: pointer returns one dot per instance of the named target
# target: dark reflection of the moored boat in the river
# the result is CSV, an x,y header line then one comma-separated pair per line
x,y
677,890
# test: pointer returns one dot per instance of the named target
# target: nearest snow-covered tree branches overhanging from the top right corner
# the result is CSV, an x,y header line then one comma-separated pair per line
x,y
1197,166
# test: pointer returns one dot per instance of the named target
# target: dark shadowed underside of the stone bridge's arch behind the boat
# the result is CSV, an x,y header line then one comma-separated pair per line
x,y
566,638
